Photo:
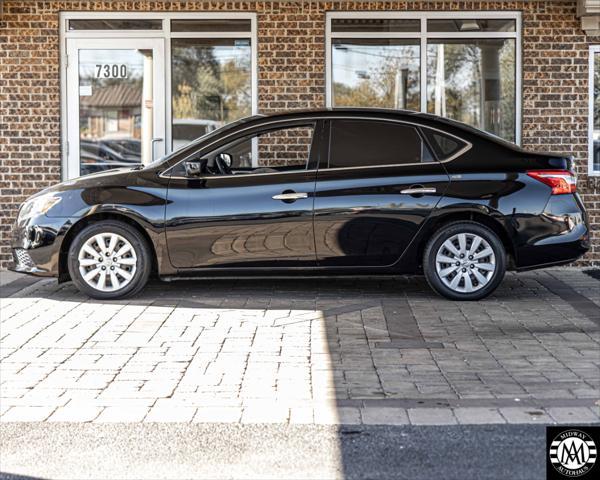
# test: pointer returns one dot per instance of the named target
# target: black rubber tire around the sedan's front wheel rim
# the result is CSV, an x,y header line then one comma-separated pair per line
x,y
137,241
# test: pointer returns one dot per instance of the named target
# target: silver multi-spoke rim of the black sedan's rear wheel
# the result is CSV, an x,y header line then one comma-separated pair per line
x,y
465,262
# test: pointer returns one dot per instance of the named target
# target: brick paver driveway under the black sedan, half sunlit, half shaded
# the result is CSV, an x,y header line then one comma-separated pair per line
x,y
303,351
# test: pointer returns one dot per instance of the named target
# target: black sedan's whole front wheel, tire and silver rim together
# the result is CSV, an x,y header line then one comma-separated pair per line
x,y
109,260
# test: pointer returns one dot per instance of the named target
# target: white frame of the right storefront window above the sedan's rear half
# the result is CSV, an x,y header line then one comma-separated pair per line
x,y
423,36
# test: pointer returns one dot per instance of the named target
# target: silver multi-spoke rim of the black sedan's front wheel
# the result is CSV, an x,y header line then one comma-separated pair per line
x,y
107,262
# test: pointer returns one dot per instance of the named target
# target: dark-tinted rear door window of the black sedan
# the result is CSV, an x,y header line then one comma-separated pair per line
x,y
359,143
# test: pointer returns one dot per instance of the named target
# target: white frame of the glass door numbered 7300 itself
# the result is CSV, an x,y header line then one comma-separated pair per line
x,y
73,45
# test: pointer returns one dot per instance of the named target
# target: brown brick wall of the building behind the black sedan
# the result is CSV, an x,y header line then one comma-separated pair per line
x,y
291,74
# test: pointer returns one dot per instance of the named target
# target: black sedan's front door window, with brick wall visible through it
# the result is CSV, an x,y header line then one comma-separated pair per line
x,y
275,150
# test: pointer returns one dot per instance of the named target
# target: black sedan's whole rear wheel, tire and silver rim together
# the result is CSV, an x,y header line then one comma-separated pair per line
x,y
464,261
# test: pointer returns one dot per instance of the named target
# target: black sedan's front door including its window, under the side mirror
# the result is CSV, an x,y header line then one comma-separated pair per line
x,y
250,205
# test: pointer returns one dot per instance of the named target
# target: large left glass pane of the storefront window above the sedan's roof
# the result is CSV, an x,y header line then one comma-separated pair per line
x,y
392,83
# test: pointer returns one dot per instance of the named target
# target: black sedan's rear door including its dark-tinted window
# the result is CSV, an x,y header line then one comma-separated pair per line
x,y
376,187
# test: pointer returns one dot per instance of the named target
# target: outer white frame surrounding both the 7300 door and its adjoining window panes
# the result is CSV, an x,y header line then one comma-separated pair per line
x,y
164,34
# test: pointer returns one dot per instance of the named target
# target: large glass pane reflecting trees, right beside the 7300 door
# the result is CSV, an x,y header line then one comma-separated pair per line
x,y
207,86
